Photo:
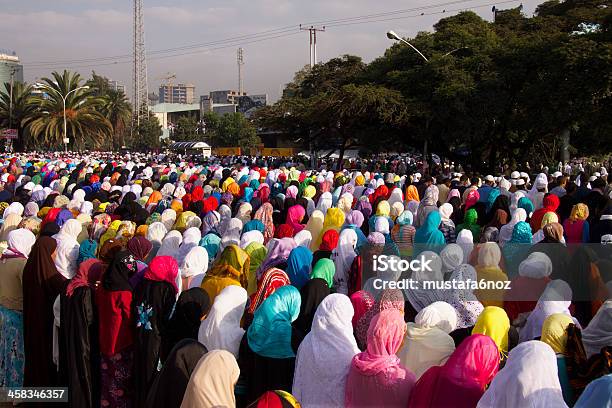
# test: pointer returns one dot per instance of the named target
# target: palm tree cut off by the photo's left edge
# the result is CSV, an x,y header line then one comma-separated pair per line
x,y
15,115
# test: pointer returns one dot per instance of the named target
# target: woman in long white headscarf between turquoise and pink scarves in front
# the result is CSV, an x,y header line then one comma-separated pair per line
x,y
324,357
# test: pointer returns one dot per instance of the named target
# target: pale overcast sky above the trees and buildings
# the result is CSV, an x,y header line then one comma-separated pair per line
x,y
43,31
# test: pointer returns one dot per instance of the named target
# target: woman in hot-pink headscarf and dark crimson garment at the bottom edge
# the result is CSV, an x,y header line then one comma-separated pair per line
x,y
461,381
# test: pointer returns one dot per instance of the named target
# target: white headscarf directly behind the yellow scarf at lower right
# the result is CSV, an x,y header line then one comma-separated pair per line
x,y
556,298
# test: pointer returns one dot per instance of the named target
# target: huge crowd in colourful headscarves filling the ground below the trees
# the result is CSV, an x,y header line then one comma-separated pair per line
x,y
156,281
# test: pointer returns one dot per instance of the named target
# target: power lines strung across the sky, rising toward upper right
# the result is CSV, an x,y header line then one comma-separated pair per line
x,y
257,37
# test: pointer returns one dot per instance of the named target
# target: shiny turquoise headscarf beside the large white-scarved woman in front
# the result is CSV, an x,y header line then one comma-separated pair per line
x,y
270,333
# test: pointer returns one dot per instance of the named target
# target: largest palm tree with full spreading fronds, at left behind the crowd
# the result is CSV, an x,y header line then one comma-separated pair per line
x,y
86,125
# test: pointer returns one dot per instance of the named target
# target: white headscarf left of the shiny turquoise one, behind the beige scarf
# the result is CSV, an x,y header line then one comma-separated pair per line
x,y
221,329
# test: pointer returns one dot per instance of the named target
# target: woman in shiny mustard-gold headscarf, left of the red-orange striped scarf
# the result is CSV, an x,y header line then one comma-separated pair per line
x,y
231,268
